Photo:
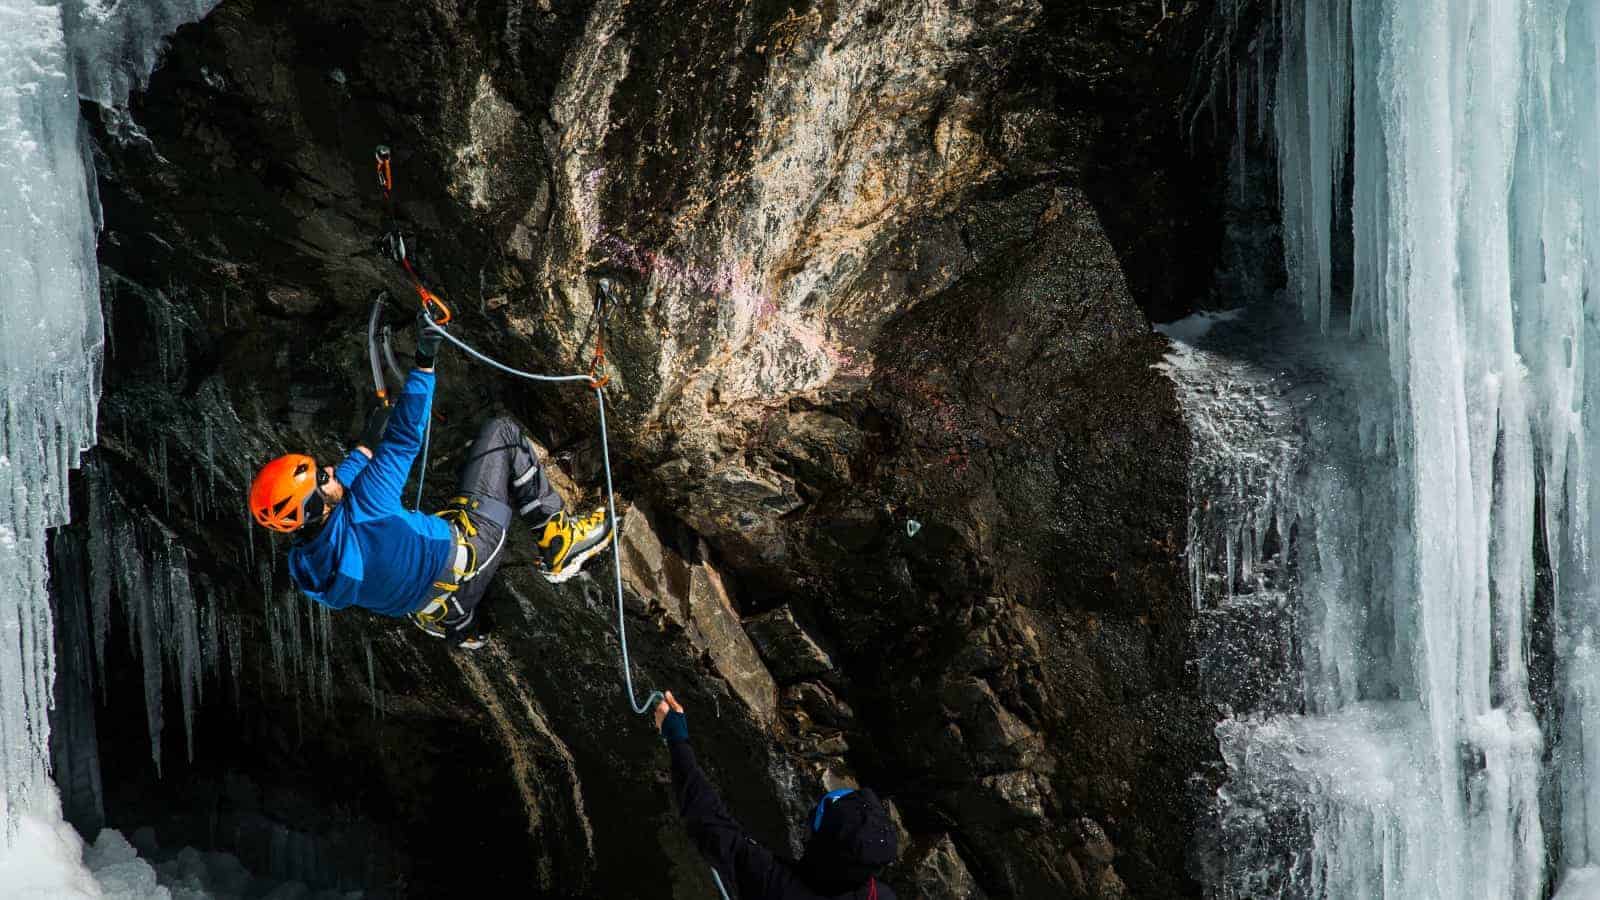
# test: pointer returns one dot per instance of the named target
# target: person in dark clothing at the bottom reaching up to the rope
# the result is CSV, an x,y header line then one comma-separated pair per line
x,y
850,837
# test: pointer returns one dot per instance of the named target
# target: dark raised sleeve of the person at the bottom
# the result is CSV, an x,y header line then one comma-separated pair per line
x,y
718,835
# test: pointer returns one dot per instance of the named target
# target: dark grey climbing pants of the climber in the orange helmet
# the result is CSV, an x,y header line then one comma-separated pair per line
x,y
502,478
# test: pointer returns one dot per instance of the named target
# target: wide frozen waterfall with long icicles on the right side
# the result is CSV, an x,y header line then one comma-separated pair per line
x,y
1457,484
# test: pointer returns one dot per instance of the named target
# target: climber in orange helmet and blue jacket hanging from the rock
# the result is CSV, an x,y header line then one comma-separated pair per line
x,y
358,545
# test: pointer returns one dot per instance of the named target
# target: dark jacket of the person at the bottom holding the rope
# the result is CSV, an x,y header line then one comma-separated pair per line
x,y
830,870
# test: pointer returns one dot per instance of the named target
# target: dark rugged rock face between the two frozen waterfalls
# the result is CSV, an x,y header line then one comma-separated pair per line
x,y
906,494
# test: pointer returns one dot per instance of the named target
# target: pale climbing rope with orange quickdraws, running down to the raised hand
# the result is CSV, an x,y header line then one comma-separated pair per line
x,y
593,380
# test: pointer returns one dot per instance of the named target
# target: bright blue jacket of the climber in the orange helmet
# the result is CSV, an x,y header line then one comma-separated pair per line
x,y
374,552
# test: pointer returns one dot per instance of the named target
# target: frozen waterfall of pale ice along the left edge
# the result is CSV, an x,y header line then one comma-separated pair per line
x,y
50,353
